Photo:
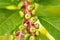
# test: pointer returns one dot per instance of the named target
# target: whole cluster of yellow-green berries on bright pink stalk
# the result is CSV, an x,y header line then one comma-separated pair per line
x,y
27,29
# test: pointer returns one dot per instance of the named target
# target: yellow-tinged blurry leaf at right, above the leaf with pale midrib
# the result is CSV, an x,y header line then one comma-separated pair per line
x,y
48,11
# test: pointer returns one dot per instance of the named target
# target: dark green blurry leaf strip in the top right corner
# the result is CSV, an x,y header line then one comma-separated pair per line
x,y
48,2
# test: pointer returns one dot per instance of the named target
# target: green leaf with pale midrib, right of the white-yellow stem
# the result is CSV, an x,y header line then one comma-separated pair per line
x,y
52,24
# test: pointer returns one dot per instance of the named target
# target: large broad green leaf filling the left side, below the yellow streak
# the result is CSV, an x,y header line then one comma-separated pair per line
x,y
9,20
